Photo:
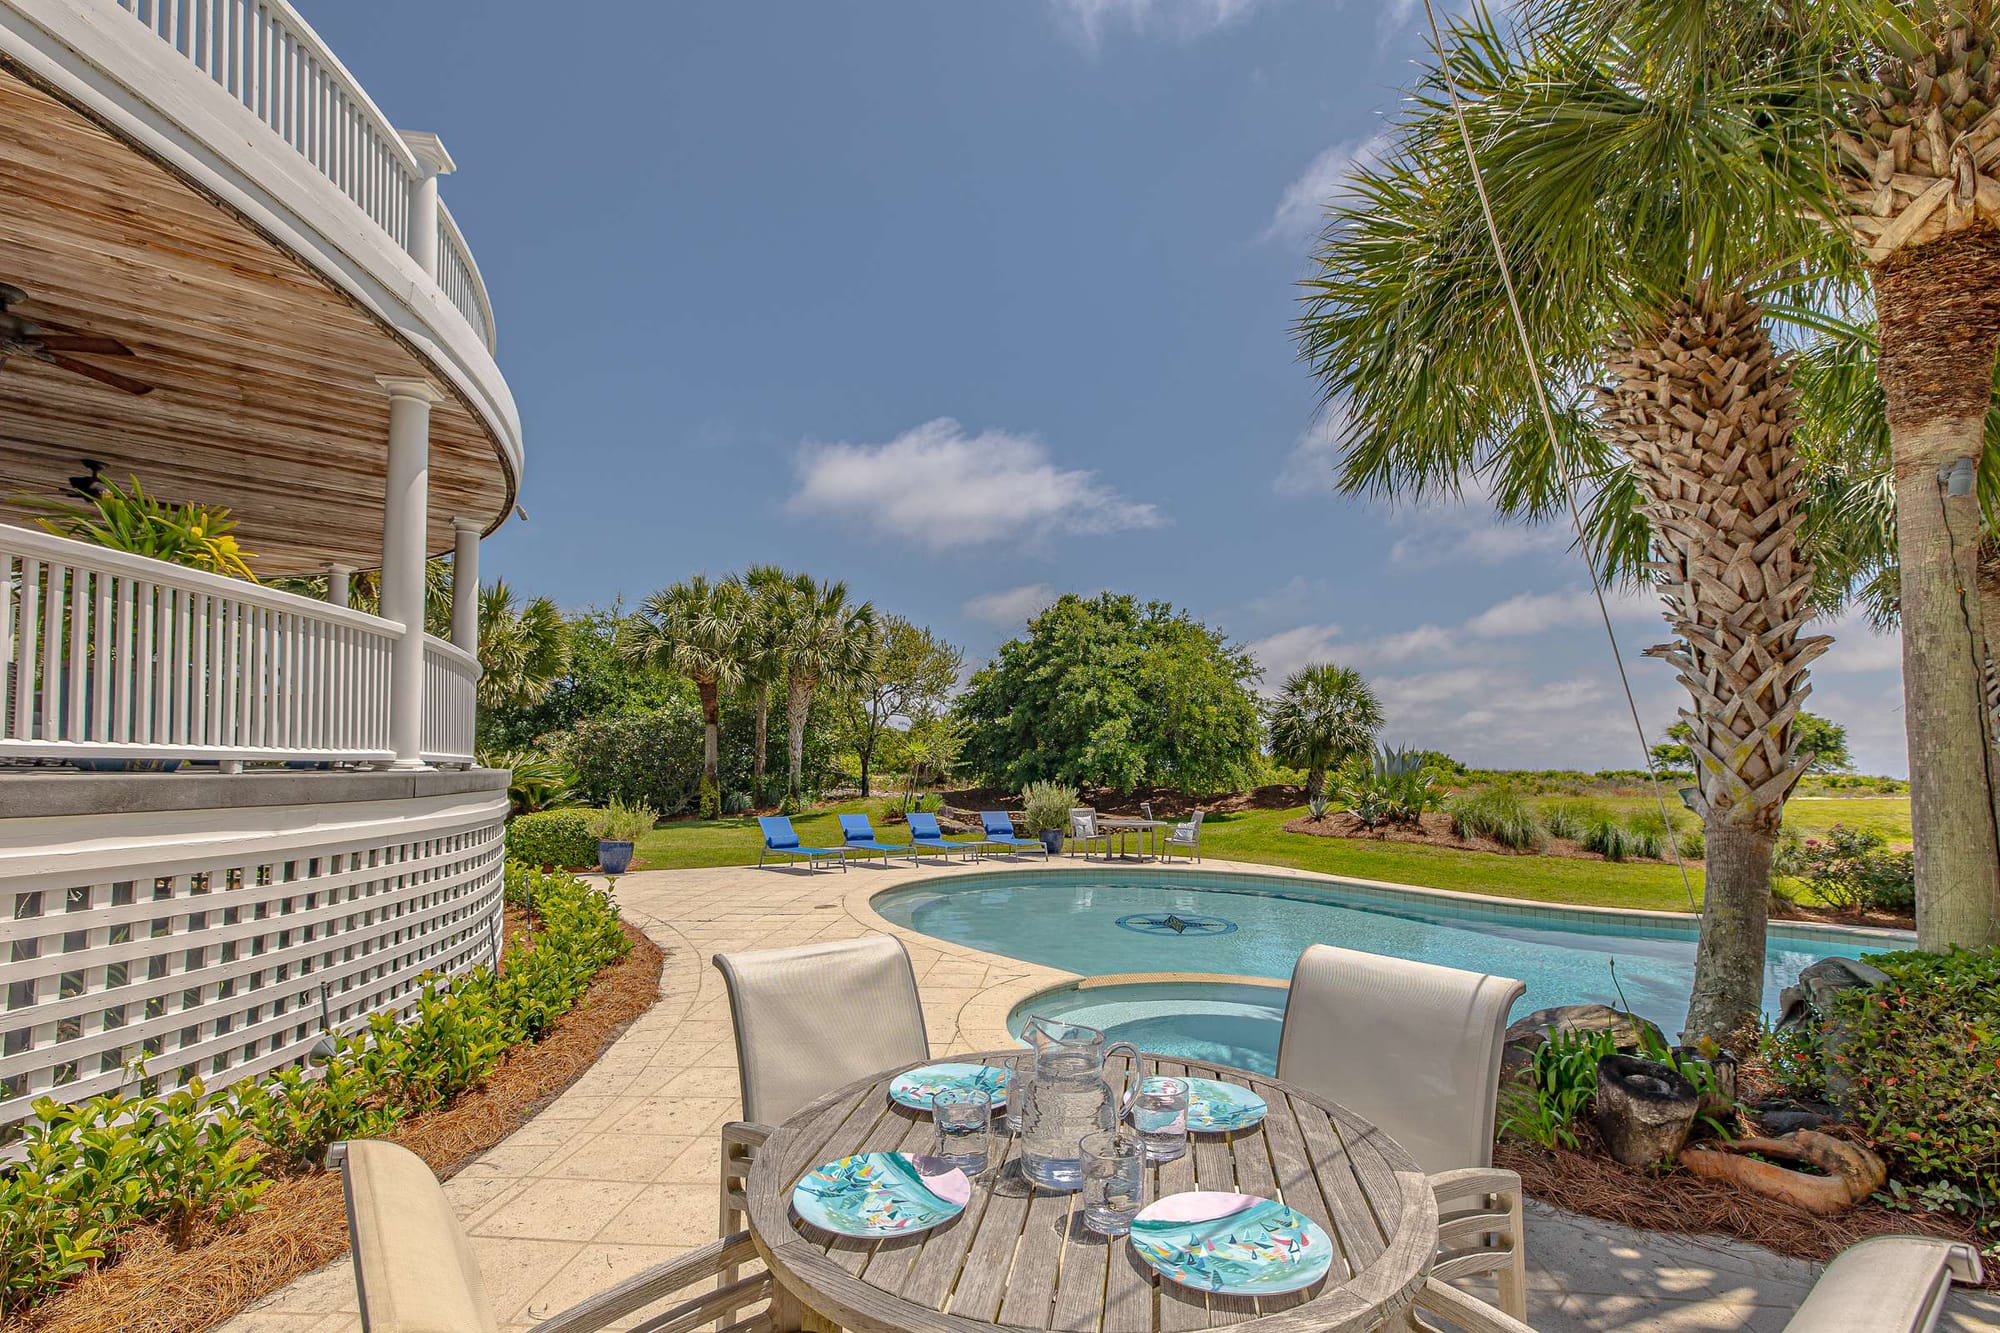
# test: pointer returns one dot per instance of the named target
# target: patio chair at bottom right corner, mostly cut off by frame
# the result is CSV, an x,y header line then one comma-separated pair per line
x,y
1887,1284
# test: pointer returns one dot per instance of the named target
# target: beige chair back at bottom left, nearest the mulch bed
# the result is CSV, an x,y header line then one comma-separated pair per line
x,y
413,1266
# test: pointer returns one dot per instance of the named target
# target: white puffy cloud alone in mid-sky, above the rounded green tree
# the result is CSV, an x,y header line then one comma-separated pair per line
x,y
941,487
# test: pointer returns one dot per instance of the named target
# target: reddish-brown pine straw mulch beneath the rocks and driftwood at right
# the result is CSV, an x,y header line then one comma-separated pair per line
x,y
1681,1204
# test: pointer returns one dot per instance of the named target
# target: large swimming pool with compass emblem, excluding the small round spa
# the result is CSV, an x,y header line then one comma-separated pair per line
x,y
1101,924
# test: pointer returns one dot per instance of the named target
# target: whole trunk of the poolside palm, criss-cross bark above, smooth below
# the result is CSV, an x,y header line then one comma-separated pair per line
x,y
1705,409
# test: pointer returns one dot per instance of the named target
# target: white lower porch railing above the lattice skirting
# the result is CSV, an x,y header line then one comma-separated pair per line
x,y
107,655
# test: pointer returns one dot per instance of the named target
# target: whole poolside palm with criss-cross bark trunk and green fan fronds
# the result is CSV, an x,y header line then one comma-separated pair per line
x,y
1645,209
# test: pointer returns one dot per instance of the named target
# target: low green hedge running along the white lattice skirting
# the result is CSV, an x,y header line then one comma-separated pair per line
x,y
189,1162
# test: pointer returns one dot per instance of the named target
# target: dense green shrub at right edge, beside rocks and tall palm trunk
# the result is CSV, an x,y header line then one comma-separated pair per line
x,y
1921,1070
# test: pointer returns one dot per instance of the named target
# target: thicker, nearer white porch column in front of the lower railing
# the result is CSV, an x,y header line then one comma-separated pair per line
x,y
405,523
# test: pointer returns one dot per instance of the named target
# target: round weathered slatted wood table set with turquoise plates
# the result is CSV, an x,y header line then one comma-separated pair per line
x,y
1023,1260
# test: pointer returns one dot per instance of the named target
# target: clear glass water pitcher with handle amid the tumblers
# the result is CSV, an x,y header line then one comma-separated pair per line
x,y
1069,1098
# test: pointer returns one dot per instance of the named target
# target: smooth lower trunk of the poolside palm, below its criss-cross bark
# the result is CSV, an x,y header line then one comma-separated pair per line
x,y
1729,962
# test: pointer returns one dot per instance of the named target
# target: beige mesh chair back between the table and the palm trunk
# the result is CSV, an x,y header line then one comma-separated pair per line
x,y
1407,1046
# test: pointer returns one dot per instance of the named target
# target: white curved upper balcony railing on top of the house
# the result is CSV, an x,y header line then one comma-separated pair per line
x,y
267,57
